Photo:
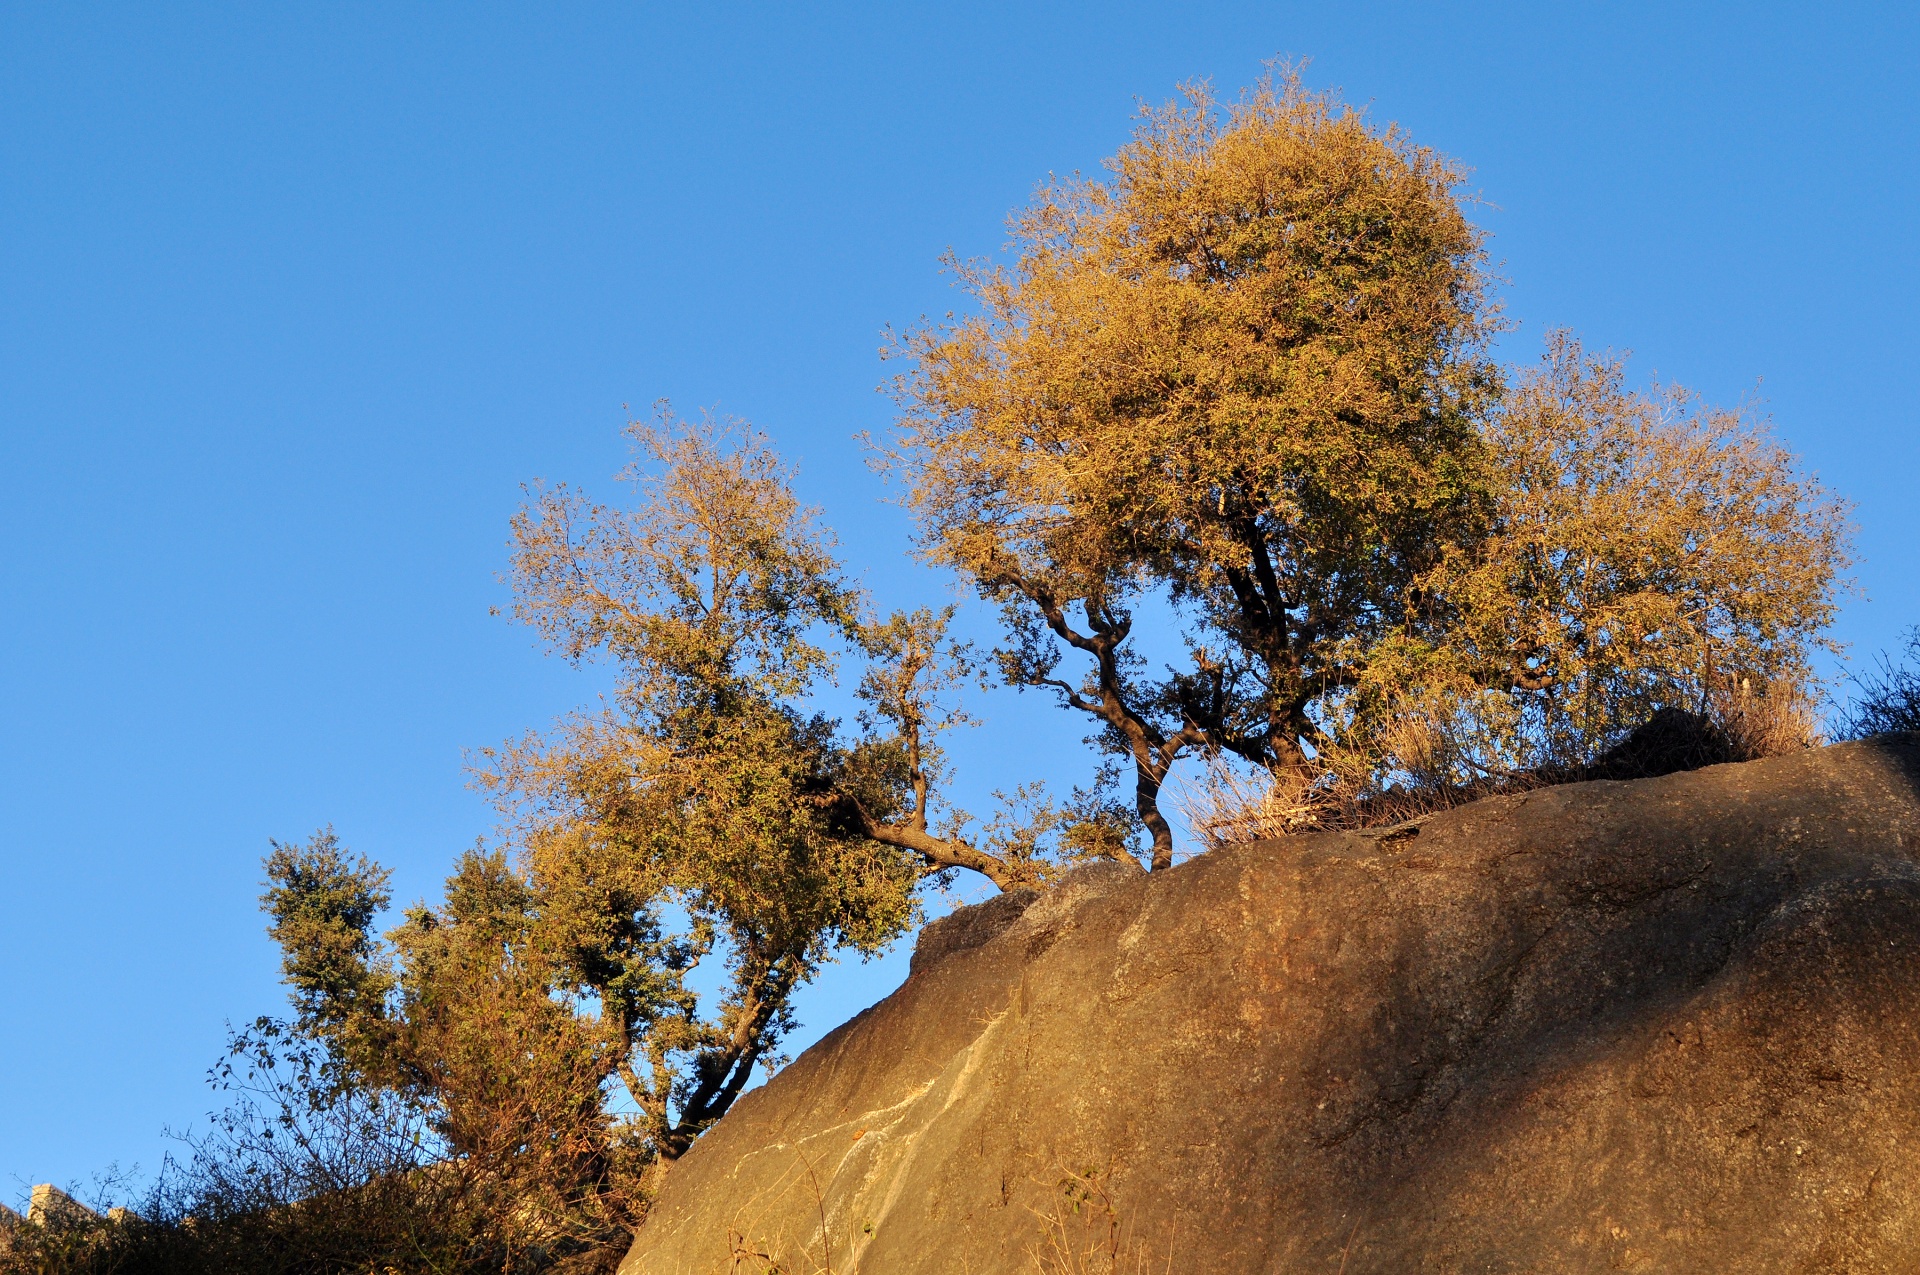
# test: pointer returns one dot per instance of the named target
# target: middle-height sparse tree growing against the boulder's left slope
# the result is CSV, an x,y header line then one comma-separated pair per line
x,y
704,786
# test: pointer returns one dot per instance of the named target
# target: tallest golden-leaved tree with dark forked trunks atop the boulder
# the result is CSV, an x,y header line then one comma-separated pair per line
x,y
1247,370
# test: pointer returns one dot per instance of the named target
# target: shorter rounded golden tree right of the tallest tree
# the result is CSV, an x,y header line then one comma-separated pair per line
x,y
1646,554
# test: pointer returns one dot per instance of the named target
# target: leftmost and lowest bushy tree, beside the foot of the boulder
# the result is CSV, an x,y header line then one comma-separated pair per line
x,y
477,1044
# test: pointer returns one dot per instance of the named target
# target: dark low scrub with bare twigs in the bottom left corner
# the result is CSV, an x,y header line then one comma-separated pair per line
x,y
304,1174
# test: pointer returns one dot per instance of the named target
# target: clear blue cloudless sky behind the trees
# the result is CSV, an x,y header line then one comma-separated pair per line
x,y
293,304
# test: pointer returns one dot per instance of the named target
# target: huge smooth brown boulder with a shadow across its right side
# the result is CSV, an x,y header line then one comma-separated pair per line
x,y
1654,1026
